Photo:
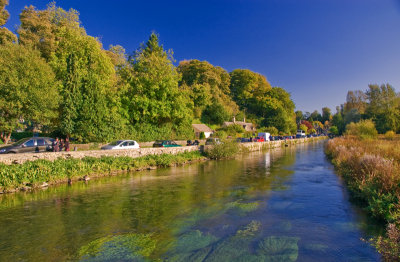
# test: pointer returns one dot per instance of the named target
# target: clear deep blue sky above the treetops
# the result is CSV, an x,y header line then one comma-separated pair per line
x,y
316,49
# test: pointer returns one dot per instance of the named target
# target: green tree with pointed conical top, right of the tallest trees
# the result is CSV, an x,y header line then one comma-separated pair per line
x,y
153,95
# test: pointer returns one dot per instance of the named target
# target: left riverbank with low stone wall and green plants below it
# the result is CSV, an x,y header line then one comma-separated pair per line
x,y
25,172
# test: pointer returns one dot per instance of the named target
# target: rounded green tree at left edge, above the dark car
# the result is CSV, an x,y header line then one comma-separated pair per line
x,y
28,91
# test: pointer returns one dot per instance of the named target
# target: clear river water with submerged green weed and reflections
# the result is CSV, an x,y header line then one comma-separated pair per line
x,y
281,205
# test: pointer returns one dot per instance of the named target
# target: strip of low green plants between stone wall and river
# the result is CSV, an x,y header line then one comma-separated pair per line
x,y
38,173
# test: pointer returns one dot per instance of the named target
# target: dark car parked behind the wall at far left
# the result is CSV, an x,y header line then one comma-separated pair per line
x,y
29,145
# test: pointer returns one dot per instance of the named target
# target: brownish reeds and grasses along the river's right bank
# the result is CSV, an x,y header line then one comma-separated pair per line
x,y
371,169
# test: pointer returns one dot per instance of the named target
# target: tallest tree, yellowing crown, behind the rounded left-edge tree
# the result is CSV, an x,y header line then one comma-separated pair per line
x,y
89,104
